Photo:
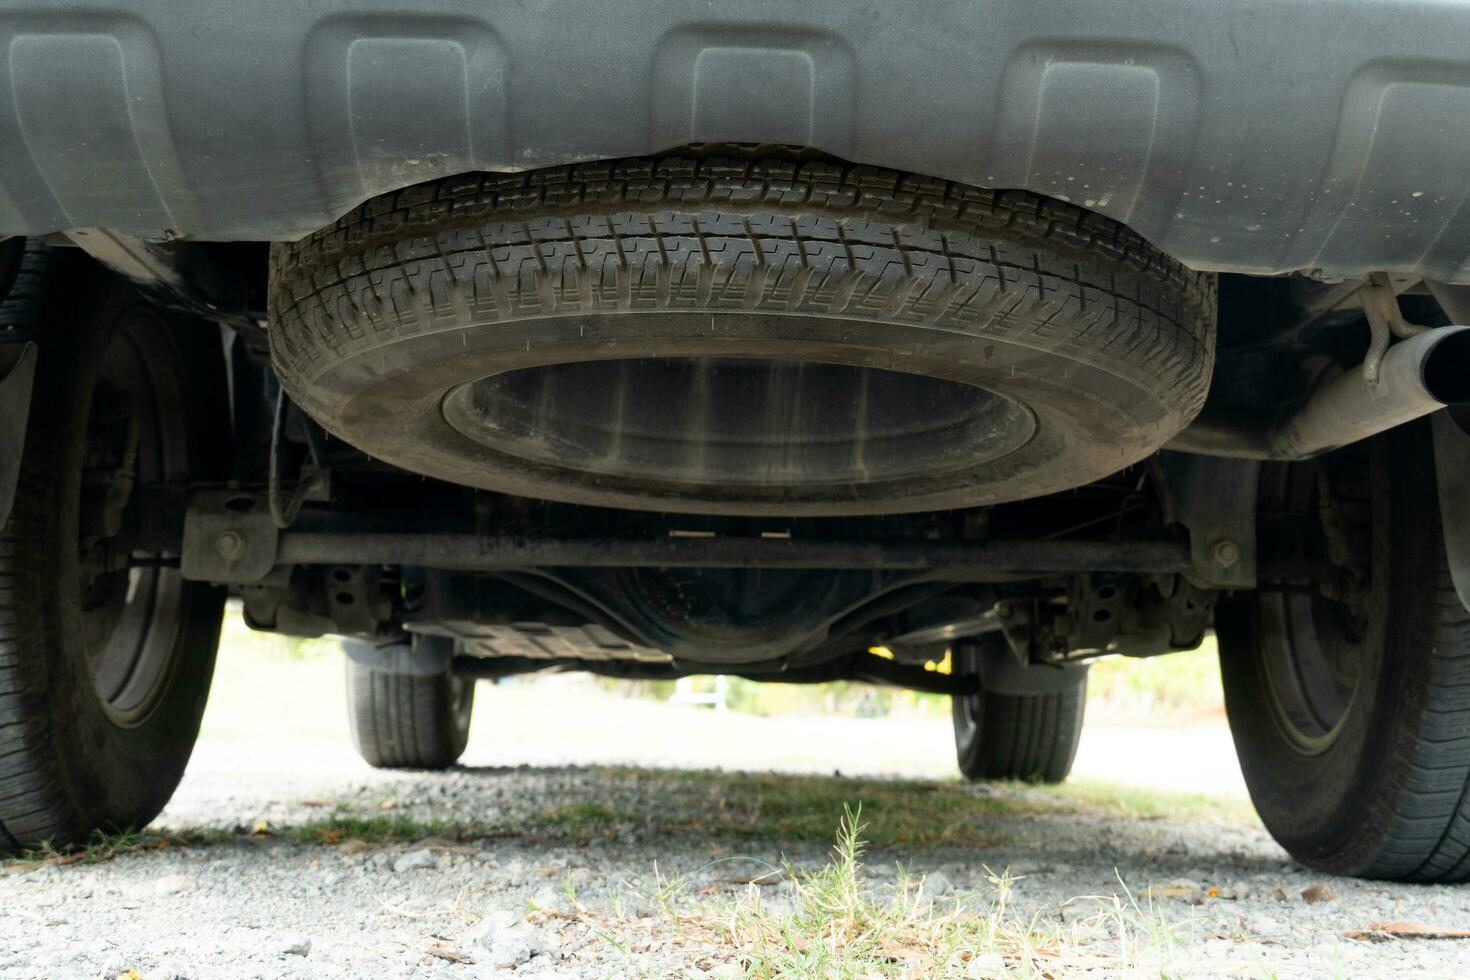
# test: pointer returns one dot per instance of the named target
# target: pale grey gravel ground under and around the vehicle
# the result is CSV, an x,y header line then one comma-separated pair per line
x,y
555,897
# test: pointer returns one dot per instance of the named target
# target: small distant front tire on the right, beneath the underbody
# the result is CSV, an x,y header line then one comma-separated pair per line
x,y
1011,737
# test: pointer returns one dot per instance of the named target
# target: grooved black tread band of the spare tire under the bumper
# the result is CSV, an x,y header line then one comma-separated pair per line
x,y
740,234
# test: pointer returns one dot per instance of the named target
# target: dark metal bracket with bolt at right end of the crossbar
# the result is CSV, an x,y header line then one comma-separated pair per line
x,y
1215,500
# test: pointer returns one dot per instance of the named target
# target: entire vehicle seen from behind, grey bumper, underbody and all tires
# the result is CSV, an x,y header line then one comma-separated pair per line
x,y
745,339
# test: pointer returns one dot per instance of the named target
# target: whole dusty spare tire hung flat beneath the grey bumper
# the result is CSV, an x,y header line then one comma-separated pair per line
x,y
739,337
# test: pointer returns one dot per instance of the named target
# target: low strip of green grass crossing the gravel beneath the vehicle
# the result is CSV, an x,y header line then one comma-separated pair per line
x,y
733,807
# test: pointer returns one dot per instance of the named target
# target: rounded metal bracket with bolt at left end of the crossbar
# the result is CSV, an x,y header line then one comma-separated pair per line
x,y
229,537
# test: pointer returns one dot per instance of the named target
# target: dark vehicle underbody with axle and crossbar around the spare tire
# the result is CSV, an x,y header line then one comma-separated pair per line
x,y
318,537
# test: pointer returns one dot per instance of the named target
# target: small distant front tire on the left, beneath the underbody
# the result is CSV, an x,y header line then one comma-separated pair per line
x,y
408,722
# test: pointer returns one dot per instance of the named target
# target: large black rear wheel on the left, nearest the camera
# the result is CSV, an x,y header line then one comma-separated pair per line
x,y
104,669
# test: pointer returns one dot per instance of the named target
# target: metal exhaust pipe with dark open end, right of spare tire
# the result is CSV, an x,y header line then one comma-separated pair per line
x,y
1416,377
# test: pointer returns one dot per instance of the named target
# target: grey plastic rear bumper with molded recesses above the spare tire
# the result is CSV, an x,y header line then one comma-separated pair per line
x,y
1255,136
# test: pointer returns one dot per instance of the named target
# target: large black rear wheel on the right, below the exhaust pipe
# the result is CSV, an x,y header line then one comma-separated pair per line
x,y
1352,713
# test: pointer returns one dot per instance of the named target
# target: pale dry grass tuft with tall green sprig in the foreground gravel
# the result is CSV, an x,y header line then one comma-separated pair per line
x,y
836,923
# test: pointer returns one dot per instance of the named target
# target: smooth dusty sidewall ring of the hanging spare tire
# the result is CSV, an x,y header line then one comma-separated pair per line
x,y
1090,421
